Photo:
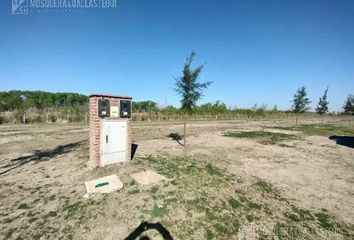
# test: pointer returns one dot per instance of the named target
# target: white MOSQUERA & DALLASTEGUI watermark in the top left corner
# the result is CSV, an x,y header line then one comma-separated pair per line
x,y
26,6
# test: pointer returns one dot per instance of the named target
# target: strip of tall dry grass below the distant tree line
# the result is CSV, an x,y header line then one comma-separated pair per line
x,y
80,114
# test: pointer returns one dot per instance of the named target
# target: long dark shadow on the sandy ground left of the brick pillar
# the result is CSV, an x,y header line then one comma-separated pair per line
x,y
39,156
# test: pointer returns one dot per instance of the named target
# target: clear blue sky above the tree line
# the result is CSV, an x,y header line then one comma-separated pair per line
x,y
255,51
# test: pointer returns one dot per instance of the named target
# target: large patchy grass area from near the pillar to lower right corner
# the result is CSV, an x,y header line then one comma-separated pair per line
x,y
205,198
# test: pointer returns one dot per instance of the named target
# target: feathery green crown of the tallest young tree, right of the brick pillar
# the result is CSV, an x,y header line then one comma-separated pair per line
x,y
188,86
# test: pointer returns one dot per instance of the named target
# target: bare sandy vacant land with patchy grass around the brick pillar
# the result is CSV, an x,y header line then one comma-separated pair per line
x,y
234,180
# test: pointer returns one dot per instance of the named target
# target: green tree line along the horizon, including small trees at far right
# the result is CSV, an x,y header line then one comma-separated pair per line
x,y
21,100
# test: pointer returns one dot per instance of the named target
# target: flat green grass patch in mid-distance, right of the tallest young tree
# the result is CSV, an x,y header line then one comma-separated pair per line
x,y
263,137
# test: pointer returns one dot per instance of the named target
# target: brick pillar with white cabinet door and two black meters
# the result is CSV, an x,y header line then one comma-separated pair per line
x,y
110,129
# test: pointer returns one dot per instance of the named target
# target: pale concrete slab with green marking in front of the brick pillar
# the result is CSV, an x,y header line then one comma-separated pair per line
x,y
104,185
